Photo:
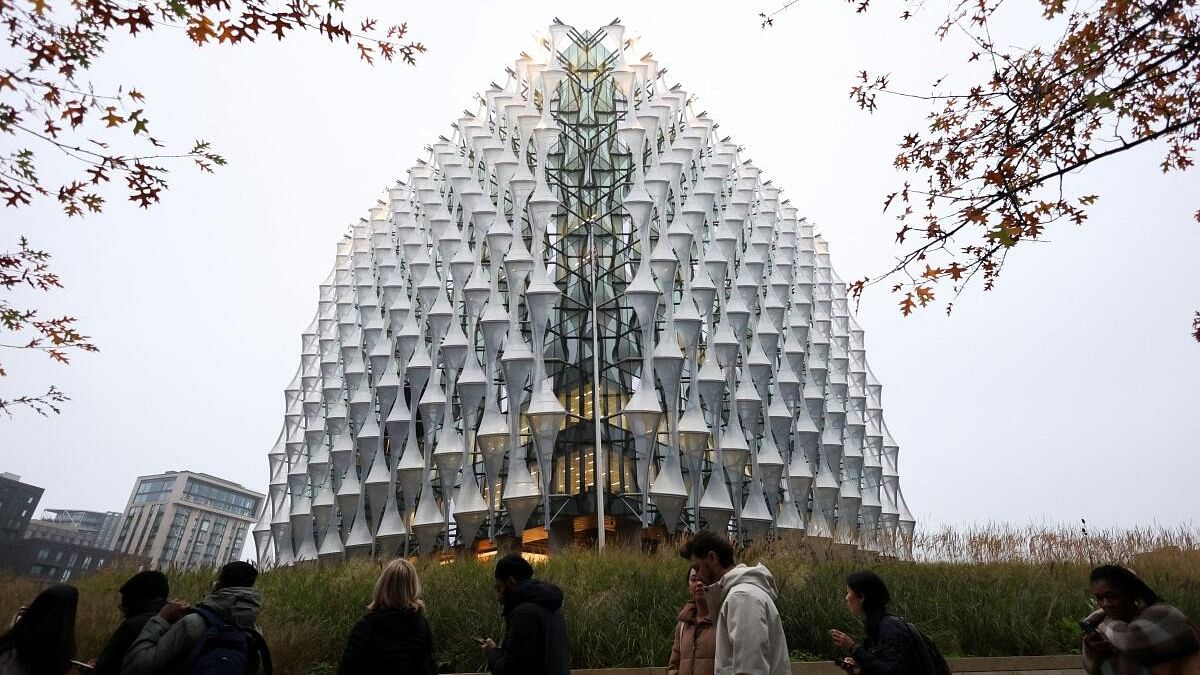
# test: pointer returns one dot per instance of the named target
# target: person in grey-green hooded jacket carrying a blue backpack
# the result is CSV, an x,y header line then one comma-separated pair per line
x,y
227,620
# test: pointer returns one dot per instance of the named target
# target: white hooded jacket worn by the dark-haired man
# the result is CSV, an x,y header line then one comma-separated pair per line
x,y
749,634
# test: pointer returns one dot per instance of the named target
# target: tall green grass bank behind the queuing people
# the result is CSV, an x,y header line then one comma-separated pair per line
x,y
621,607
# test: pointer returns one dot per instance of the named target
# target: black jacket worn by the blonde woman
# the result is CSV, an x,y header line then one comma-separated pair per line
x,y
393,642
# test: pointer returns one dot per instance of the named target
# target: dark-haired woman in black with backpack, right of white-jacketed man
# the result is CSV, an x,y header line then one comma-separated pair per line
x,y
890,647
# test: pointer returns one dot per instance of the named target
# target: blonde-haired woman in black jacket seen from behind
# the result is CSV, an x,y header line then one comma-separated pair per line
x,y
394,637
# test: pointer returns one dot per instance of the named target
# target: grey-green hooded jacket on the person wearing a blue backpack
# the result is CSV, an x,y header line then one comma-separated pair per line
x,y
163,648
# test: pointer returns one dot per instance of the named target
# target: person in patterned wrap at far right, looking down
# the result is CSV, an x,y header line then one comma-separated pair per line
x,y
1133,632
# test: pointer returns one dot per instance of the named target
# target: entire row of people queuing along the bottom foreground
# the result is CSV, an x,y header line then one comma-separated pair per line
x,y
730,626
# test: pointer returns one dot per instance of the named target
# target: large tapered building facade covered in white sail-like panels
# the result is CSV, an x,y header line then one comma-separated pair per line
x,y
585,280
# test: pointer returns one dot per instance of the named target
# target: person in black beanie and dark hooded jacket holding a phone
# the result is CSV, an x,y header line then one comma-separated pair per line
x,y
535,629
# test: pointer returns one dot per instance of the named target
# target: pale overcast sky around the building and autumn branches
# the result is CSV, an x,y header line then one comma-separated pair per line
x,y
1070,392
